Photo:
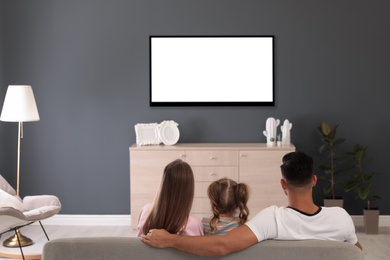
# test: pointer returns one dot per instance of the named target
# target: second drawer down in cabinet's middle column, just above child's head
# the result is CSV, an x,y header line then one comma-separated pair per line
x,y
210,174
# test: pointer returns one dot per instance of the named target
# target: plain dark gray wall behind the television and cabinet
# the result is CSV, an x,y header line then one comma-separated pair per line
x,y
88,64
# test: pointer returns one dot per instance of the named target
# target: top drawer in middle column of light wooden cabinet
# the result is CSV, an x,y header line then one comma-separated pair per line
x,y
212,158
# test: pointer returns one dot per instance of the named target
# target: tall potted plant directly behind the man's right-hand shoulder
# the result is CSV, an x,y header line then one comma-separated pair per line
x,y
330,167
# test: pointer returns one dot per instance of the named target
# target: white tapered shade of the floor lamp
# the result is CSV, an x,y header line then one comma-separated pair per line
x,y
19,105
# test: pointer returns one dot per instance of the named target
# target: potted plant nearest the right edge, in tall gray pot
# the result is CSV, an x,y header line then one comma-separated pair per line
x,y
361,183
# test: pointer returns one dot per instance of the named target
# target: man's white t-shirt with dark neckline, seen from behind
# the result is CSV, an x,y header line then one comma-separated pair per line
x,y
286,223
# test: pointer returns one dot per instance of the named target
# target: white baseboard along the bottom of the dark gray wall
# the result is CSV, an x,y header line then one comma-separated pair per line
x,y
125,220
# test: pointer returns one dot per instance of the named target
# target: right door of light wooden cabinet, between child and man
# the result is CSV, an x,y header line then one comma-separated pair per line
x,y
261,171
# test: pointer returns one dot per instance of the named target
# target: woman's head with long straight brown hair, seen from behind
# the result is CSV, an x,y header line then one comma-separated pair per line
x,y
174,199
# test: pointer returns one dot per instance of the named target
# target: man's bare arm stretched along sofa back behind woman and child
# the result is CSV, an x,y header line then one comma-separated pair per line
x,y
235,240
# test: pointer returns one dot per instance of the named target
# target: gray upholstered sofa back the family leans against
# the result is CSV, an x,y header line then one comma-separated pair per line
x,y
117,248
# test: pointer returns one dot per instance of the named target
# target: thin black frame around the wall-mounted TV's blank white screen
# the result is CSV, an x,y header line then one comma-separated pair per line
x,y
154,103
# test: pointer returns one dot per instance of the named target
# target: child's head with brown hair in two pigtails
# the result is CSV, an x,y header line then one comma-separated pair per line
x,y
228,198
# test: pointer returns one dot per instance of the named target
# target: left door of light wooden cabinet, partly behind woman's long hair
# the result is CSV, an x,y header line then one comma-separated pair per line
x,y
146,170
